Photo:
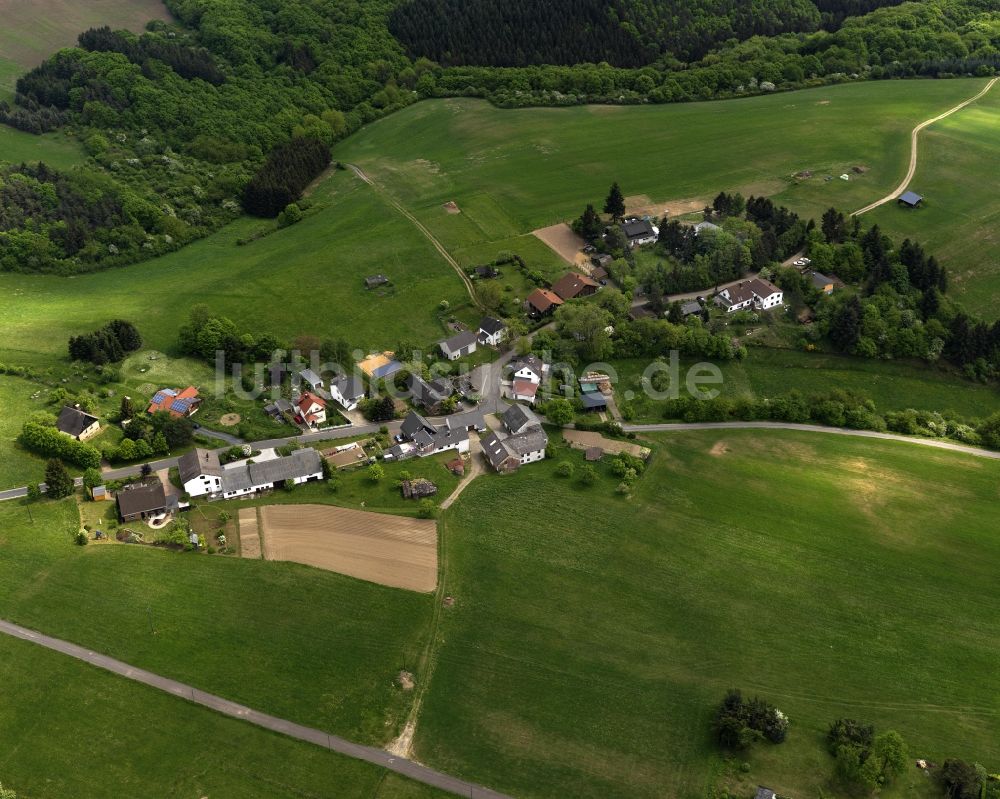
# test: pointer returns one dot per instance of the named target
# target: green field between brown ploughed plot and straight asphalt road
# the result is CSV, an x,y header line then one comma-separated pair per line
x,y
308,645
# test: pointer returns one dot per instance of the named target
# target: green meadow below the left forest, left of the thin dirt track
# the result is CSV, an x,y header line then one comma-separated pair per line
x,y
305,279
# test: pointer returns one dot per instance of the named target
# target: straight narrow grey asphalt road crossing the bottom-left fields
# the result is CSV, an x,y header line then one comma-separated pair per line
x,y
377,757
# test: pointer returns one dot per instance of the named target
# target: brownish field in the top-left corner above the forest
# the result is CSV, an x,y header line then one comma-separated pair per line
x,y
34,29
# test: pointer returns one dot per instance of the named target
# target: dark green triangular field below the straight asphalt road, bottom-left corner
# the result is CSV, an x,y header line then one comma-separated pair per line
x,y
72,730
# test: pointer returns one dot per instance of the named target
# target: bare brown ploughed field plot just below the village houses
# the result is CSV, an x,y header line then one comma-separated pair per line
x,y
391,550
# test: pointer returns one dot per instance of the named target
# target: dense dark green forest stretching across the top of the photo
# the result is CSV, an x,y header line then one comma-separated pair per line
x,y
176,122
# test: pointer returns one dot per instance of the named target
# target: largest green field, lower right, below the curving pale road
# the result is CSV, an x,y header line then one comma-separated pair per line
x,y
592,635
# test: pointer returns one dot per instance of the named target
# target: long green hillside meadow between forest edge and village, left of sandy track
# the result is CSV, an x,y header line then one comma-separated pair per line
x,y
511,171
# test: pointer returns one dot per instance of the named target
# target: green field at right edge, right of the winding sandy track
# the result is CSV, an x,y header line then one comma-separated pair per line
x,y
960,218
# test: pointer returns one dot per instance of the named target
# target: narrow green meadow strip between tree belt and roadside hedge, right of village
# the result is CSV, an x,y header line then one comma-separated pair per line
x,y
767,372
